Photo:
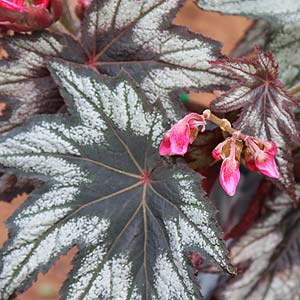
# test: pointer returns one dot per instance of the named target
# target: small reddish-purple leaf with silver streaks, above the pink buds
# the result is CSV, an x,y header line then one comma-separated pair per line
x,y
266,109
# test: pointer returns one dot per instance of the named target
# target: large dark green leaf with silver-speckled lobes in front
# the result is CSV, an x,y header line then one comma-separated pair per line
x,y
133,215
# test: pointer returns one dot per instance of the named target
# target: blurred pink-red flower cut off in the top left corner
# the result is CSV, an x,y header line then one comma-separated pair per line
x,y
20,15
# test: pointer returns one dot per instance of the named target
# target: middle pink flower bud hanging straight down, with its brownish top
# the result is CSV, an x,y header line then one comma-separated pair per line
x,y
229,150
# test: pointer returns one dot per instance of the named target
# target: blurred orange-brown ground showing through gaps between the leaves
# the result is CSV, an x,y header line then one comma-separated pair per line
x,y
229,30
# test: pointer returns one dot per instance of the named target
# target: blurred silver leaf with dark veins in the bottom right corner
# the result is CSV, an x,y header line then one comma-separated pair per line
x,y
268,256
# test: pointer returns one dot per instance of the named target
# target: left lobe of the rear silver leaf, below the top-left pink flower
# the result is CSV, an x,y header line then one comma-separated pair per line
x,y
26,86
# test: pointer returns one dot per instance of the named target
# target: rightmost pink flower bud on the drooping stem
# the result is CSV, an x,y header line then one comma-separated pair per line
x,y
260,156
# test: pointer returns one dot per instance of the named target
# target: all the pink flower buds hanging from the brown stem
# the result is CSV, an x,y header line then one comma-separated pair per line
x,y
259,155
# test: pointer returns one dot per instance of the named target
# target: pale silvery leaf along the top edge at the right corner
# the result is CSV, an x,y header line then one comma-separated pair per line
x,y
276,11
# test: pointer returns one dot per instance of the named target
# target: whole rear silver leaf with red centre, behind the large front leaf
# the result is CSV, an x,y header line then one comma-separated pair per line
x,y
136,35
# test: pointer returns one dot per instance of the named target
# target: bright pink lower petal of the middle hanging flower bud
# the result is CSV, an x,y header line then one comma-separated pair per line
x,y
229,176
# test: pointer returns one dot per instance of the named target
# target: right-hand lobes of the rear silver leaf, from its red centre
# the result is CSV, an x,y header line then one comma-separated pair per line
x,y
139,37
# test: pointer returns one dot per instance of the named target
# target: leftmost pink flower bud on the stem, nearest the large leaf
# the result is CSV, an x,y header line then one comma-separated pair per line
x,y
177,139
